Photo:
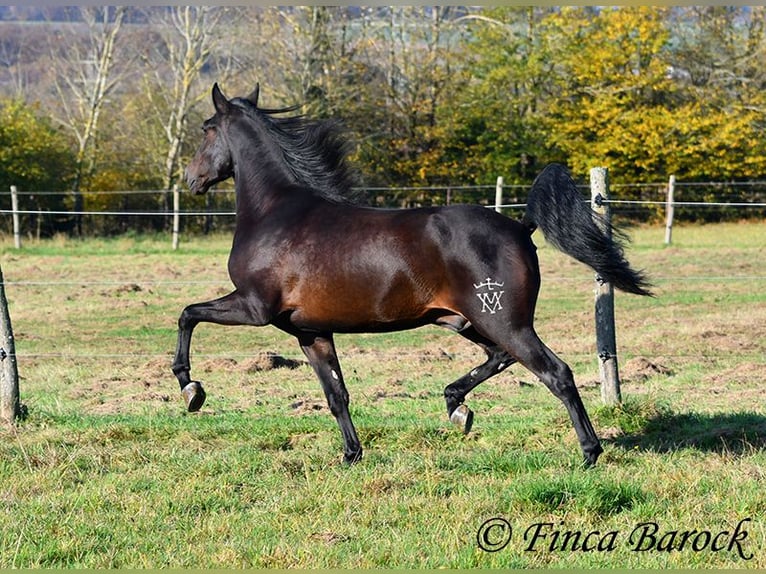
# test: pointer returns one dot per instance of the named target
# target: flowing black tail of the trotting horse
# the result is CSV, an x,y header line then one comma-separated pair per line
x,y
567,221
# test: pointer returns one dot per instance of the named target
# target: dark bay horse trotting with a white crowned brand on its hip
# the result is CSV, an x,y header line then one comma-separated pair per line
x,y
312,263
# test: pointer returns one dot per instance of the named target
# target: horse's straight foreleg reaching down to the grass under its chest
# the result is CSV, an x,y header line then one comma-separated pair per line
x,y
320,351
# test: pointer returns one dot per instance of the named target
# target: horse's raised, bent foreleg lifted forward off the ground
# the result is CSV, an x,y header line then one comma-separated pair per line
x,y
231,309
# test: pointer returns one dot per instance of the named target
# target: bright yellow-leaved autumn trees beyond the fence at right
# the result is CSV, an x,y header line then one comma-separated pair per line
x,y
649,91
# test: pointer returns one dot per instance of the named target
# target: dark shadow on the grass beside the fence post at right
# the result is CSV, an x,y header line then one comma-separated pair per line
x,y
724,433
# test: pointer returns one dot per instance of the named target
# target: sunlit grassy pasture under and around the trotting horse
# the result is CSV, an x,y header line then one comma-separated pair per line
x,y
109,471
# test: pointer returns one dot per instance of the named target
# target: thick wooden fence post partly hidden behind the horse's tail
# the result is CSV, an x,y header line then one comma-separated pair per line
x,y
606,340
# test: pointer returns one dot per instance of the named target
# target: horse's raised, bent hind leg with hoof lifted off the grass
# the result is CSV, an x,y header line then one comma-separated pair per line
x,y
454,394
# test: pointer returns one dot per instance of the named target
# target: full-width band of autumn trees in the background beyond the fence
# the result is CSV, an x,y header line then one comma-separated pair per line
x,y
429,95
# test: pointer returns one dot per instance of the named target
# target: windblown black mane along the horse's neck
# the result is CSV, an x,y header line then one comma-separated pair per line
x,y
314,152
